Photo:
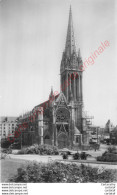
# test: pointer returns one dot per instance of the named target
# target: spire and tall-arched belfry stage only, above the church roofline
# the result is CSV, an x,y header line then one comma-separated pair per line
x,y
71,75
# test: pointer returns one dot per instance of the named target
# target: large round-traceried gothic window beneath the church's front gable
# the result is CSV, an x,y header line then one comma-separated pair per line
x,y
62,115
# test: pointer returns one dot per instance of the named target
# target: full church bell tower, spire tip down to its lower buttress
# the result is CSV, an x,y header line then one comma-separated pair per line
x,y
71,76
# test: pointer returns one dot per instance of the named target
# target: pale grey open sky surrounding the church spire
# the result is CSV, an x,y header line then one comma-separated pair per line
x,y
32,40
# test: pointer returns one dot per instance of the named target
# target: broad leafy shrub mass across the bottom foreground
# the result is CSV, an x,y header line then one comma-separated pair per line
x,y
59,172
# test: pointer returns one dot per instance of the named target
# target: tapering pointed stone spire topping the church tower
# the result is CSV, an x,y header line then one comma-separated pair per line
x,y
70,41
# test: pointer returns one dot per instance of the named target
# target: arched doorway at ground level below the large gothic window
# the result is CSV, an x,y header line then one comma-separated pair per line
x,y
62,140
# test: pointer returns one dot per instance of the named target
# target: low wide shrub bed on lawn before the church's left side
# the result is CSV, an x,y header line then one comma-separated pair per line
x,y
40,149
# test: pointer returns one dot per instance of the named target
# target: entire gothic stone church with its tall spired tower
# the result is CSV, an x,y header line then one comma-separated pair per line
x,y
62,122
